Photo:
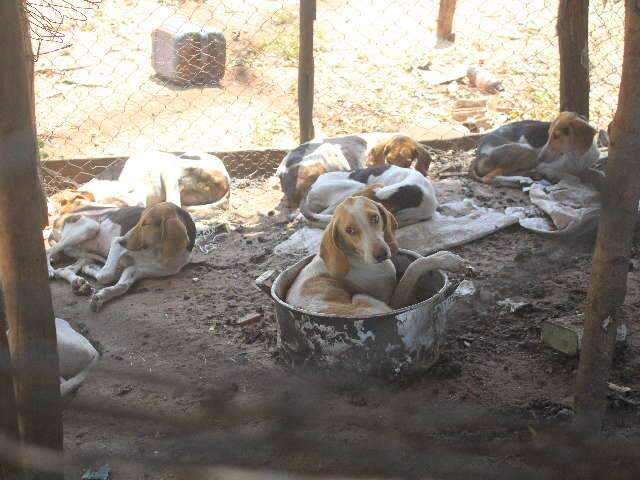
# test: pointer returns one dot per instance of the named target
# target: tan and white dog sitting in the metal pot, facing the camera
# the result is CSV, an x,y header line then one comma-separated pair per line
x,y
353,273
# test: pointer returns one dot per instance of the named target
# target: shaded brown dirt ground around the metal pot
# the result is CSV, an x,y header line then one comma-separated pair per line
x,y
179,385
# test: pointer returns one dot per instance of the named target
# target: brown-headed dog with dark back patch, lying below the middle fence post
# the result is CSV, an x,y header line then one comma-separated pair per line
x,y
301,167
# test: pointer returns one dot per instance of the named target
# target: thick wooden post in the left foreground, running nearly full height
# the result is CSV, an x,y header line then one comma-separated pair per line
x,y
23,270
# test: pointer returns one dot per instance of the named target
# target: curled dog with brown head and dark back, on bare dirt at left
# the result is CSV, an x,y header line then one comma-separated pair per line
x,y
121,245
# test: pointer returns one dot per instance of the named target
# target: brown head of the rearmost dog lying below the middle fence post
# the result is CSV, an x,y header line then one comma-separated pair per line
x,y
402,151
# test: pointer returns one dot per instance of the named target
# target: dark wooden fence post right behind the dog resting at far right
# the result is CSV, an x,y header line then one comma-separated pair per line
x,y
573,41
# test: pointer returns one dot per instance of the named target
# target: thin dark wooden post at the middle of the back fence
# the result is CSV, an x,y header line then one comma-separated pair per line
x,y
306,70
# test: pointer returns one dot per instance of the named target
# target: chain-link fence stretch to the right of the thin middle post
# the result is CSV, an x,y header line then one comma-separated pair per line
x,y
379,67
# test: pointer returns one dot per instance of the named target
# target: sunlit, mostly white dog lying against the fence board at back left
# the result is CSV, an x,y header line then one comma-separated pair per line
x,y
186,180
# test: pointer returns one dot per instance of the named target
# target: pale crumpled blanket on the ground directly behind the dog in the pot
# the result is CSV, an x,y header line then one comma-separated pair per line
x,y
456,223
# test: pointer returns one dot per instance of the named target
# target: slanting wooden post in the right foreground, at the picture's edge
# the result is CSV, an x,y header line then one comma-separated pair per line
x,y
607,287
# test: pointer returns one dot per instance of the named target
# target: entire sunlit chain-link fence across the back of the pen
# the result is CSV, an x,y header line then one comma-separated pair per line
x,y
378,67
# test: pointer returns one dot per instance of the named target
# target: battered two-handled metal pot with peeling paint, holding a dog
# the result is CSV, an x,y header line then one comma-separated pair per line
x,y
393,343
